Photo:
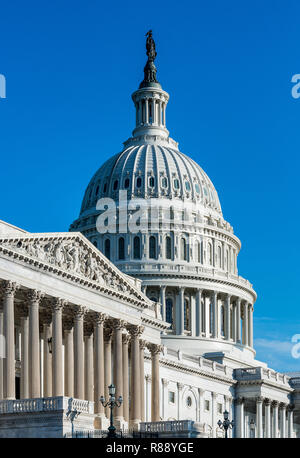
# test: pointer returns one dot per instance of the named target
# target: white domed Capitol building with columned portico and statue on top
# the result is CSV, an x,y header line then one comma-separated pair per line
x,y
143,292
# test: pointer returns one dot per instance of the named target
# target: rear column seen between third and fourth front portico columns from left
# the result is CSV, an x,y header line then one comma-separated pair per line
x,y
69,358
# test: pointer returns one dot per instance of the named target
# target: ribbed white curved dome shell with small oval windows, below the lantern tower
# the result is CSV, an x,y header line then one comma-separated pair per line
x,y
152,170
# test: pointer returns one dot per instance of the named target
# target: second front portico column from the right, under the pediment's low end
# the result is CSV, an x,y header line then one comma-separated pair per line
x,y
135,397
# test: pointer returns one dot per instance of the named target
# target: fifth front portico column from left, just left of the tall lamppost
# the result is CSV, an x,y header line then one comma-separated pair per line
x,y
99,382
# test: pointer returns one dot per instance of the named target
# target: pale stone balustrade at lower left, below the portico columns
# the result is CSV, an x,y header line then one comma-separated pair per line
x,y
46,405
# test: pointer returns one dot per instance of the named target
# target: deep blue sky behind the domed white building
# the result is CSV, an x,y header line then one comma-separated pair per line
x,y
71,67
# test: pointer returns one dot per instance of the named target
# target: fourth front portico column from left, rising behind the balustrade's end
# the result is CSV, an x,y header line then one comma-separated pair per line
x,y
78,353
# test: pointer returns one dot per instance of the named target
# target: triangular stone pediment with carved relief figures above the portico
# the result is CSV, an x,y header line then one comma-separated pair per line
x,y
72,256
